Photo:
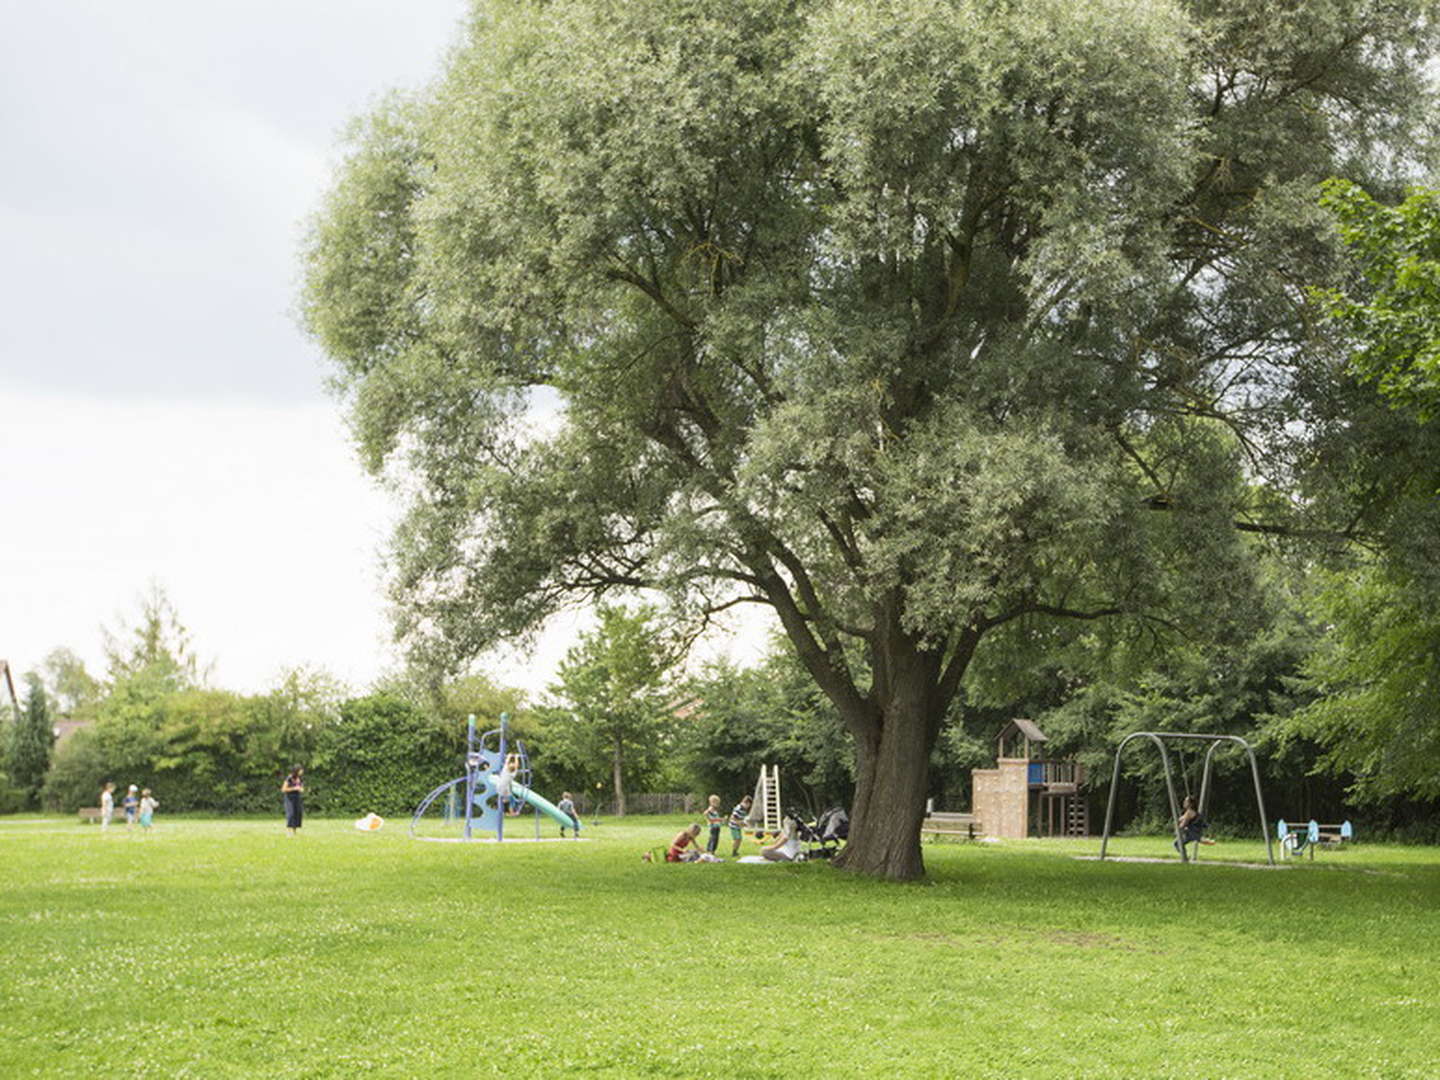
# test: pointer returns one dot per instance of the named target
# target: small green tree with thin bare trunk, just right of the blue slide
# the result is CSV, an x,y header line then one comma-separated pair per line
x,y
614,714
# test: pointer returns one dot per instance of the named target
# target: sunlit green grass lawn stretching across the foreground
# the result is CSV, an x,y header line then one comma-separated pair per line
x,y
227,950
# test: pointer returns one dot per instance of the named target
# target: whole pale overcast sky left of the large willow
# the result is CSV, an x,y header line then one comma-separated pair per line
x,y
161,415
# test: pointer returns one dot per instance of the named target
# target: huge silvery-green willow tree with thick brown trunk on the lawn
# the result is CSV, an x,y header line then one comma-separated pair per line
x,y
911,320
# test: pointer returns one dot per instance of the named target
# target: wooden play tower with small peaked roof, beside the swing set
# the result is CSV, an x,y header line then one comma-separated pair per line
x,y
1027,794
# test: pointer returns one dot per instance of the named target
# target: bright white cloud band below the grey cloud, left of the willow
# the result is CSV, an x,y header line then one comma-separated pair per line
x,y
256,519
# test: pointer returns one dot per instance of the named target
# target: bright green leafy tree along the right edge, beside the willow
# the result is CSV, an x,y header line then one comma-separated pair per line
x,y
1377,673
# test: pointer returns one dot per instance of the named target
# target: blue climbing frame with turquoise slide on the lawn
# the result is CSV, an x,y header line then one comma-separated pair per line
x,y
474,801
